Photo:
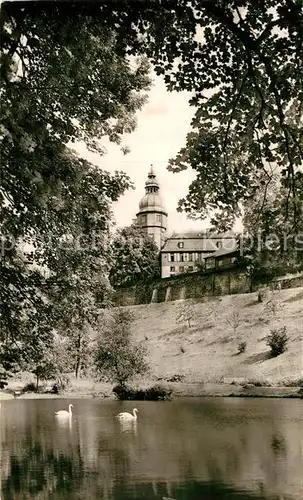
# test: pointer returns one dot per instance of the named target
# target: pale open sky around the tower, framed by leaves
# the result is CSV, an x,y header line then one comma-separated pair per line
x,y
161,131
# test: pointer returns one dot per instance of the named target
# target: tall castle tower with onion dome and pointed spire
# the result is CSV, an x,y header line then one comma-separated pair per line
x,y
152,216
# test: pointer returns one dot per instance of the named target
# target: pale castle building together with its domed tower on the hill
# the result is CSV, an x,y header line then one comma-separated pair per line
x,y
181,252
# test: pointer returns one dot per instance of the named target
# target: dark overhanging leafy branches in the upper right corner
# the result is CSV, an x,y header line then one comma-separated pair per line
x,y
241,60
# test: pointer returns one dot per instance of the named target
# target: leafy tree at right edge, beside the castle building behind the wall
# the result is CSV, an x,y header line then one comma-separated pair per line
x,y
272,244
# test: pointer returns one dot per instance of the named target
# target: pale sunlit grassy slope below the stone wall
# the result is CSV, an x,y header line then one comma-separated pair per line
x,y
210,346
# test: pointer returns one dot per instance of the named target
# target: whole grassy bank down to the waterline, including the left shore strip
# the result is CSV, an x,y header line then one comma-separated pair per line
x,y
203,359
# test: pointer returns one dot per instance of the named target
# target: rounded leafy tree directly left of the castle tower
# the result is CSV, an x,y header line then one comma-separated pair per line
x,y
135,257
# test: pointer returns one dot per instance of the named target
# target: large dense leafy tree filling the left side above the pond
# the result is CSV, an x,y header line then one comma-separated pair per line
x,y
56,89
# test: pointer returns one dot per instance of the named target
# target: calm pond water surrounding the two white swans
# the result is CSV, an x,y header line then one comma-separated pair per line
x,y
195,449
